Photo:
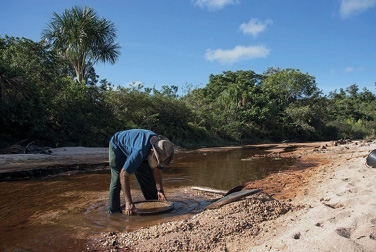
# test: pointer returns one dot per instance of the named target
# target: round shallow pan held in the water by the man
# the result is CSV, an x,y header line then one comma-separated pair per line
x,y
153,207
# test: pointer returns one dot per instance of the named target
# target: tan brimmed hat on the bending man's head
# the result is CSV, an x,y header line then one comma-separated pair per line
x,y
164,150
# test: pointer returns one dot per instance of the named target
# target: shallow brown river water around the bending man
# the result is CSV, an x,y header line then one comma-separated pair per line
x,y
58,213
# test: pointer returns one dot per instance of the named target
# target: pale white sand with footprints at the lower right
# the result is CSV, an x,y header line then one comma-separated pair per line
x,y
342,212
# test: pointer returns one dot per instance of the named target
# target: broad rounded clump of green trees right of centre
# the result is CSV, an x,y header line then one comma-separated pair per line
x,y
243,106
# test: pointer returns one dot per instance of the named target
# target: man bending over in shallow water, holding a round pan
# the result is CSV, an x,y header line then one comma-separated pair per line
x,y
143,153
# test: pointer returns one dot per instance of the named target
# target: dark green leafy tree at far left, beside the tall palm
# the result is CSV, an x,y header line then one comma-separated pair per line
x,y
30,76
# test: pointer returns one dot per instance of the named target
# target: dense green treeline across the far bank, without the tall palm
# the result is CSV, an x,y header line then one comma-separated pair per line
x,y
40,100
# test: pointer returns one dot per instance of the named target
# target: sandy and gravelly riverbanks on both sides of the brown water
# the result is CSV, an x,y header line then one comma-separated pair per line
x,y
324,203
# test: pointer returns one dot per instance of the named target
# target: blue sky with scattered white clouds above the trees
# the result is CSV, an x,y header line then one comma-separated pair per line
x,y
180,42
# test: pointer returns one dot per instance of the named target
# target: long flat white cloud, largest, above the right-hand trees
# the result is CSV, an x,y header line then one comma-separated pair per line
x,y
237,54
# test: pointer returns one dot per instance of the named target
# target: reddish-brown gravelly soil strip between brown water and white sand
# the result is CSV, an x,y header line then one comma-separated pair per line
x,y
225,228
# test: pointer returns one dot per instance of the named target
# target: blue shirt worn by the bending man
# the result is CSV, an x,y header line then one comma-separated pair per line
x,y
135,145
